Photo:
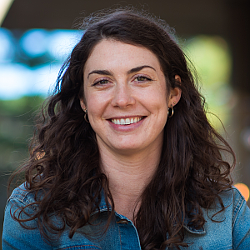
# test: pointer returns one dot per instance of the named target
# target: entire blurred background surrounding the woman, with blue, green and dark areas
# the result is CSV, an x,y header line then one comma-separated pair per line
x,y
37,36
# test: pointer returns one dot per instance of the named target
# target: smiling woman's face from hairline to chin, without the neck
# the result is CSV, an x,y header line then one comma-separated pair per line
x,y
126,97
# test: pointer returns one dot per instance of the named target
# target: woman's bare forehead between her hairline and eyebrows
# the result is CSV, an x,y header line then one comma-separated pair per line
x,y
112,54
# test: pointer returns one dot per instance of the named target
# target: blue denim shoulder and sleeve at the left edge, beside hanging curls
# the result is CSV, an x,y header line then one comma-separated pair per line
x,y
15,234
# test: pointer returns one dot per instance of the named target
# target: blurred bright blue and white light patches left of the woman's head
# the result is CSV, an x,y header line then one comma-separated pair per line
x,y
31,60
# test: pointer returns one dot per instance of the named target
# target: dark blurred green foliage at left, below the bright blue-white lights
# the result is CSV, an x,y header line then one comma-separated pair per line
x,y
16,128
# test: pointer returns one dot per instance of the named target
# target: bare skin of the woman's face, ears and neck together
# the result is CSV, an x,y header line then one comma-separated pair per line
x,y
123,81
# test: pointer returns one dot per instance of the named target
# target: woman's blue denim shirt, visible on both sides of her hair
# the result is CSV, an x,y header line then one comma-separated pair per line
x,y
233,232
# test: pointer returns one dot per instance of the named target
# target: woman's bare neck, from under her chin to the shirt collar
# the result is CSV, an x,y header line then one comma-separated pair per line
x,y
128,177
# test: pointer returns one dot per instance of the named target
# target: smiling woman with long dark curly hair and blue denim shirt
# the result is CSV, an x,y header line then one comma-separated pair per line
x,y
125,157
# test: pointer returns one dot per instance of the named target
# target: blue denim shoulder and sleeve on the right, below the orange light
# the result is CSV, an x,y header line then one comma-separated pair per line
x,y
232,223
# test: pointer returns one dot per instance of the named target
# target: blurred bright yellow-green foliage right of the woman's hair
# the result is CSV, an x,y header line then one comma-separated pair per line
x,y
212,60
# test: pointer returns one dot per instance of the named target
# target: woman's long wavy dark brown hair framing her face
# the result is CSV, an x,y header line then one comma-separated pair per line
x,y
64,157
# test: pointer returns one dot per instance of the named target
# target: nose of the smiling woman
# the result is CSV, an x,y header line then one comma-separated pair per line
x,y
123,96
